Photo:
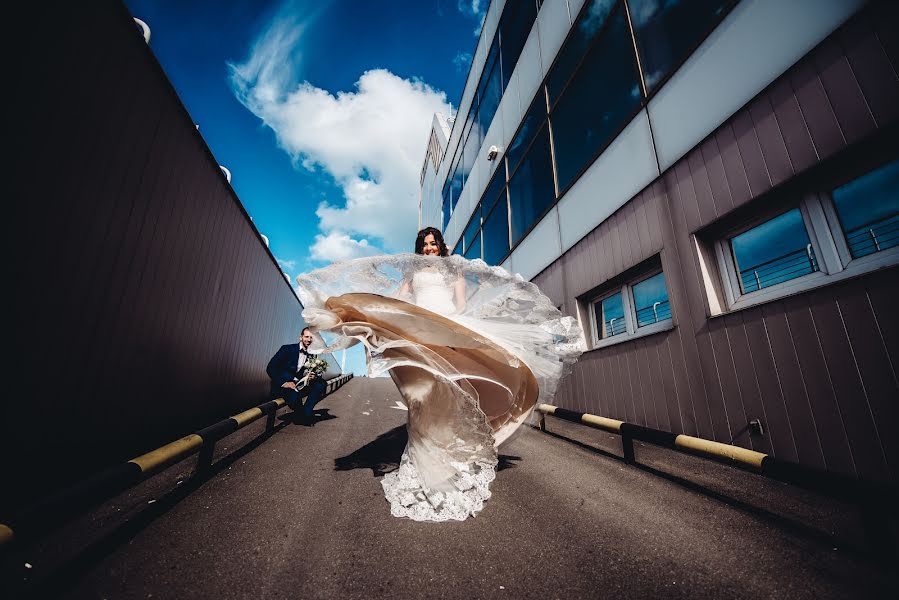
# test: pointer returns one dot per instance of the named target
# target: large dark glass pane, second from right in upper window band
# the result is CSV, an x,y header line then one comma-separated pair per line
x,y
601,96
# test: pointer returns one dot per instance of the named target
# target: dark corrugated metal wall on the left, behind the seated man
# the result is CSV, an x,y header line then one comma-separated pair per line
x,y
145,302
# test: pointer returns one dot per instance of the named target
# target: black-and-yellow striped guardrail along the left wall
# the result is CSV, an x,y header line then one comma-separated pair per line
x,y
114,480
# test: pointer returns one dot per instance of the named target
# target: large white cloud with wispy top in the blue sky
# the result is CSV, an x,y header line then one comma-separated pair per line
x,y
371,140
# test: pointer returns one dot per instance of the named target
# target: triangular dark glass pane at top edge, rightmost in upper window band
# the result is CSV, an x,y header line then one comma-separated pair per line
x,y
668,30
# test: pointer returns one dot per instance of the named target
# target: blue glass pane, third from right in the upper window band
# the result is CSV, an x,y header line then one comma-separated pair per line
x,y
531,189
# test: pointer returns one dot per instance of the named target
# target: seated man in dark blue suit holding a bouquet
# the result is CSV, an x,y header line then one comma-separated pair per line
x,y
289,363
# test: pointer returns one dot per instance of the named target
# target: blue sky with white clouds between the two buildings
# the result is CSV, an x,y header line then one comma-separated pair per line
x,y
320,110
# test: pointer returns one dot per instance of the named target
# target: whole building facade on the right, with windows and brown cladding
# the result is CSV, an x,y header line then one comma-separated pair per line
x,y
712,188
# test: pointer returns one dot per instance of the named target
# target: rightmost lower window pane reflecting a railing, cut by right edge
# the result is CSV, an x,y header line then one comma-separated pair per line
x,y
868,208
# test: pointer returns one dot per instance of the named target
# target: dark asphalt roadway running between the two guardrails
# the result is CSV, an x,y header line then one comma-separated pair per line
x,y
300,514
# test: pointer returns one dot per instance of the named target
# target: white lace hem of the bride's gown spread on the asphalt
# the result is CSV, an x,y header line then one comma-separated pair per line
x,y
409,498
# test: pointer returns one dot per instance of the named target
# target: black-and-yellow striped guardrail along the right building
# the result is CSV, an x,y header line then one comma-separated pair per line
x,y
875,500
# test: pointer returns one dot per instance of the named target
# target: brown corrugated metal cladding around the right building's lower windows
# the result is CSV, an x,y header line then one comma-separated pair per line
x,y
819,368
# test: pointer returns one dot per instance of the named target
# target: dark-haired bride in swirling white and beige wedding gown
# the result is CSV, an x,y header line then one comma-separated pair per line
x,y
471,348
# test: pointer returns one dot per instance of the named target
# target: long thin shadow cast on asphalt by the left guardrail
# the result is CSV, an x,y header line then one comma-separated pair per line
x,y
67,574
